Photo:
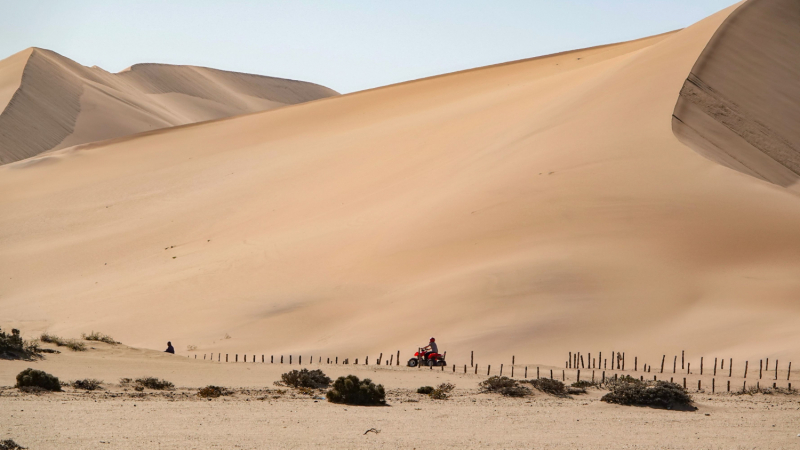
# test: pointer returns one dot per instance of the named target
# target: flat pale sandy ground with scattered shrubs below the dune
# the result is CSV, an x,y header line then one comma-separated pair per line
x,y
262,415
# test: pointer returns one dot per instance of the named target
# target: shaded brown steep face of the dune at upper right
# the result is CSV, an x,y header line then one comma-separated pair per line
x,y
741,104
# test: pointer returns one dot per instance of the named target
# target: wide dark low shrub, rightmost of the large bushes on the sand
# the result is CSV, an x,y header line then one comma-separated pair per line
x,y
648,393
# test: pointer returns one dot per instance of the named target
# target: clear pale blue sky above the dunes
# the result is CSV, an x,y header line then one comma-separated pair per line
x,y
346,45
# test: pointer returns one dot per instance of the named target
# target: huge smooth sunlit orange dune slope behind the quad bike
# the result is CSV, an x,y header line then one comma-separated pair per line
x,y
528,208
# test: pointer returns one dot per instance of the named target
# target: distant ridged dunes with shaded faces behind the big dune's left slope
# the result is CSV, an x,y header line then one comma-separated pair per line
x,y
49,102
